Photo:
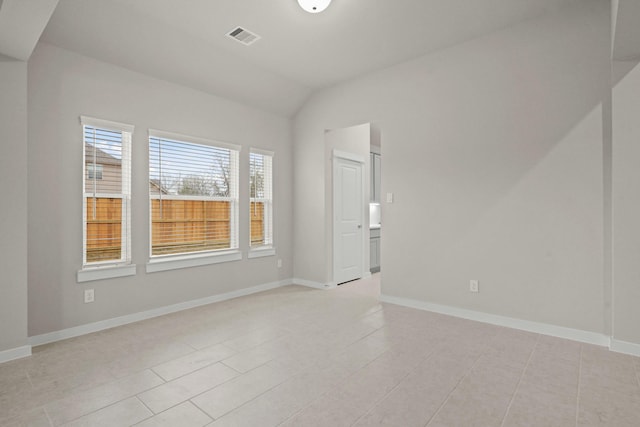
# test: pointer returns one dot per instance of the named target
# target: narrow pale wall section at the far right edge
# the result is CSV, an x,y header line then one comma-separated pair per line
x,y
626,203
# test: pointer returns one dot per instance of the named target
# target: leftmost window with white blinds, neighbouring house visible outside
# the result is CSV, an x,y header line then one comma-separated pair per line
x,y
107,192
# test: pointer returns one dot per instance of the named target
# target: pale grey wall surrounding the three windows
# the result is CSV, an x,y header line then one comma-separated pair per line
x,y
63,86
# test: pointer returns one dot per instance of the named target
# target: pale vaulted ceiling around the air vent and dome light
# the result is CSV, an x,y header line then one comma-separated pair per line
x,y
184,41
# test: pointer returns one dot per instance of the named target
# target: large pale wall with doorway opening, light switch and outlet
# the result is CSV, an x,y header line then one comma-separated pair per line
x,y
493,150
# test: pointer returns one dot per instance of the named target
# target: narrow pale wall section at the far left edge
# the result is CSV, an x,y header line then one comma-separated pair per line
x,y
13,210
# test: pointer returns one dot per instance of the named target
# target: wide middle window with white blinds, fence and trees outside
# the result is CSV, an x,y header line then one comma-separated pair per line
x,y
193,192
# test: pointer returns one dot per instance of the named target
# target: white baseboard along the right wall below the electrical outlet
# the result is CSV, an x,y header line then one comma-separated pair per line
x,y
509,322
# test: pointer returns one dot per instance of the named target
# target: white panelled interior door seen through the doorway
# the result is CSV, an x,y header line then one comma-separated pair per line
x,y
348,208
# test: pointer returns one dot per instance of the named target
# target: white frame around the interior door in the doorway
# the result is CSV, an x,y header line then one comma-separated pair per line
x,y
344,155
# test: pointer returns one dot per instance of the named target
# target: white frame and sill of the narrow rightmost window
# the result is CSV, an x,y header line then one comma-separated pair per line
x,y
267,248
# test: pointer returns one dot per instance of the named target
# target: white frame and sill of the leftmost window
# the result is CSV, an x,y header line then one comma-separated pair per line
x,y
122,266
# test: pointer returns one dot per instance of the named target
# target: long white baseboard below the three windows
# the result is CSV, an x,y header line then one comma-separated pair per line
x,y
136,317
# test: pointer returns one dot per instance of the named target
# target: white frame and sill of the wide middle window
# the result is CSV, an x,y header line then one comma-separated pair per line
x,y
164,262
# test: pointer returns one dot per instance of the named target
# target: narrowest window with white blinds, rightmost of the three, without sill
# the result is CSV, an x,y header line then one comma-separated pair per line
x,y
261,198
